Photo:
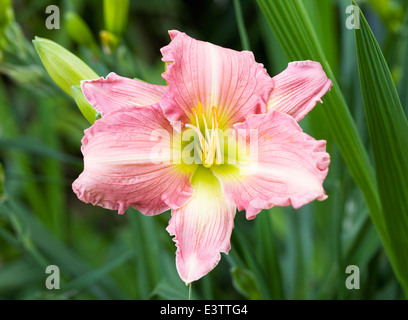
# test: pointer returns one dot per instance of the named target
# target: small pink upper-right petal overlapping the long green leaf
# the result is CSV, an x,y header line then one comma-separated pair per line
x,y
298,88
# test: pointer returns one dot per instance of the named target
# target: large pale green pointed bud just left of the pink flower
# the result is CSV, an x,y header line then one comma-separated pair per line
x,y
65,68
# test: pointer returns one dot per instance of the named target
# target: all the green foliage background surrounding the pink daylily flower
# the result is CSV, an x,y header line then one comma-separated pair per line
x,y
283,253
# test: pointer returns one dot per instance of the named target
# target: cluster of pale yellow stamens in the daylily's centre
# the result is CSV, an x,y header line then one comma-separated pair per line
x,y
208,145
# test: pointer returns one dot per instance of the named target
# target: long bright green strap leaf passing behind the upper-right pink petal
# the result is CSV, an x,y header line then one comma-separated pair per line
x,y
296,35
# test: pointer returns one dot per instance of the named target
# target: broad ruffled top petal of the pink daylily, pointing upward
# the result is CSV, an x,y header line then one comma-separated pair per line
x,y
201,72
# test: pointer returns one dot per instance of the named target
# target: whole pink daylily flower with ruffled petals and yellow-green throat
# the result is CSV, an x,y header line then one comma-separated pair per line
x,y
209,89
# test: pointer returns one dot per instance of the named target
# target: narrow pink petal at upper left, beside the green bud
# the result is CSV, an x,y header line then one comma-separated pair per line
x,y
116,92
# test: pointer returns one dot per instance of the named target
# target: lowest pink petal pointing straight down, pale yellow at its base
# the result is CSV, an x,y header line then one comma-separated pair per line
x,y
202,228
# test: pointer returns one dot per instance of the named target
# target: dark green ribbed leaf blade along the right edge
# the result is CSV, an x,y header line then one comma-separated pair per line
x,y
388,130
